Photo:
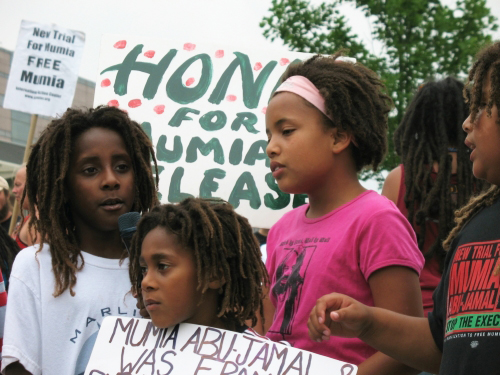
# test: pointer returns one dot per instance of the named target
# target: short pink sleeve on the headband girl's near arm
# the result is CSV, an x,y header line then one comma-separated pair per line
x,y
387,239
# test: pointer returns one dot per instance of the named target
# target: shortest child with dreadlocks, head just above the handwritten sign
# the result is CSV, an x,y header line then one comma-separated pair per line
x,y
197,262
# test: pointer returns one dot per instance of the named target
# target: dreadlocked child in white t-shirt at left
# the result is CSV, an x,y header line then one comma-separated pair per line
x,y
86,169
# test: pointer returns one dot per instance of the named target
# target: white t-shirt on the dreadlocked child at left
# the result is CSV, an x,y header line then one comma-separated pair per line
x,y
55,336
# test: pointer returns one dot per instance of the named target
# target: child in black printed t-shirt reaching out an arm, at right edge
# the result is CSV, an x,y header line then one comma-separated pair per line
x,y
460,336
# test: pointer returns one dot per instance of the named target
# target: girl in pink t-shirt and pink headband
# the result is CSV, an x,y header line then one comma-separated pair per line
x,y
325,122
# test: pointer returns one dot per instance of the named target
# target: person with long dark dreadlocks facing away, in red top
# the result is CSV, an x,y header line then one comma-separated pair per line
x,y
435,176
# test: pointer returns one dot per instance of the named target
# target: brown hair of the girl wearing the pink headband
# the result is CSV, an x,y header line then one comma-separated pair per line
x,y
355,99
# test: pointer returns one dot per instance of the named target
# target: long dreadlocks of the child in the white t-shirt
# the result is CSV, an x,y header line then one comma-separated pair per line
x,y
47,171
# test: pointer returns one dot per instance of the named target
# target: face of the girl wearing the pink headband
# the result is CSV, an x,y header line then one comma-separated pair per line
x,y
299,147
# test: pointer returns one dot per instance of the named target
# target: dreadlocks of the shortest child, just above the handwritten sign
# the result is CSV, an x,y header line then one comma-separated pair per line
x,y
223,246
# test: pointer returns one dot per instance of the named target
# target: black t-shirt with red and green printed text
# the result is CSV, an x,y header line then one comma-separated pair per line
x,y
465,322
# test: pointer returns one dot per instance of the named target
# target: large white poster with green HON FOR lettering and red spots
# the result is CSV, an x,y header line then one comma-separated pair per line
x,y
204,108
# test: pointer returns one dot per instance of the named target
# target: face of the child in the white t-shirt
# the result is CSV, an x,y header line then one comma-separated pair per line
x,y
100,181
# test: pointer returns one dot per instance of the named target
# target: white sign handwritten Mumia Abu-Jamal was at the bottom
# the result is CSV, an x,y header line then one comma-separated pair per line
x,y
135,346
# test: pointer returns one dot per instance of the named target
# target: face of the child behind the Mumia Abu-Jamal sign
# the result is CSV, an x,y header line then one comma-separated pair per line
x,y
170,283
